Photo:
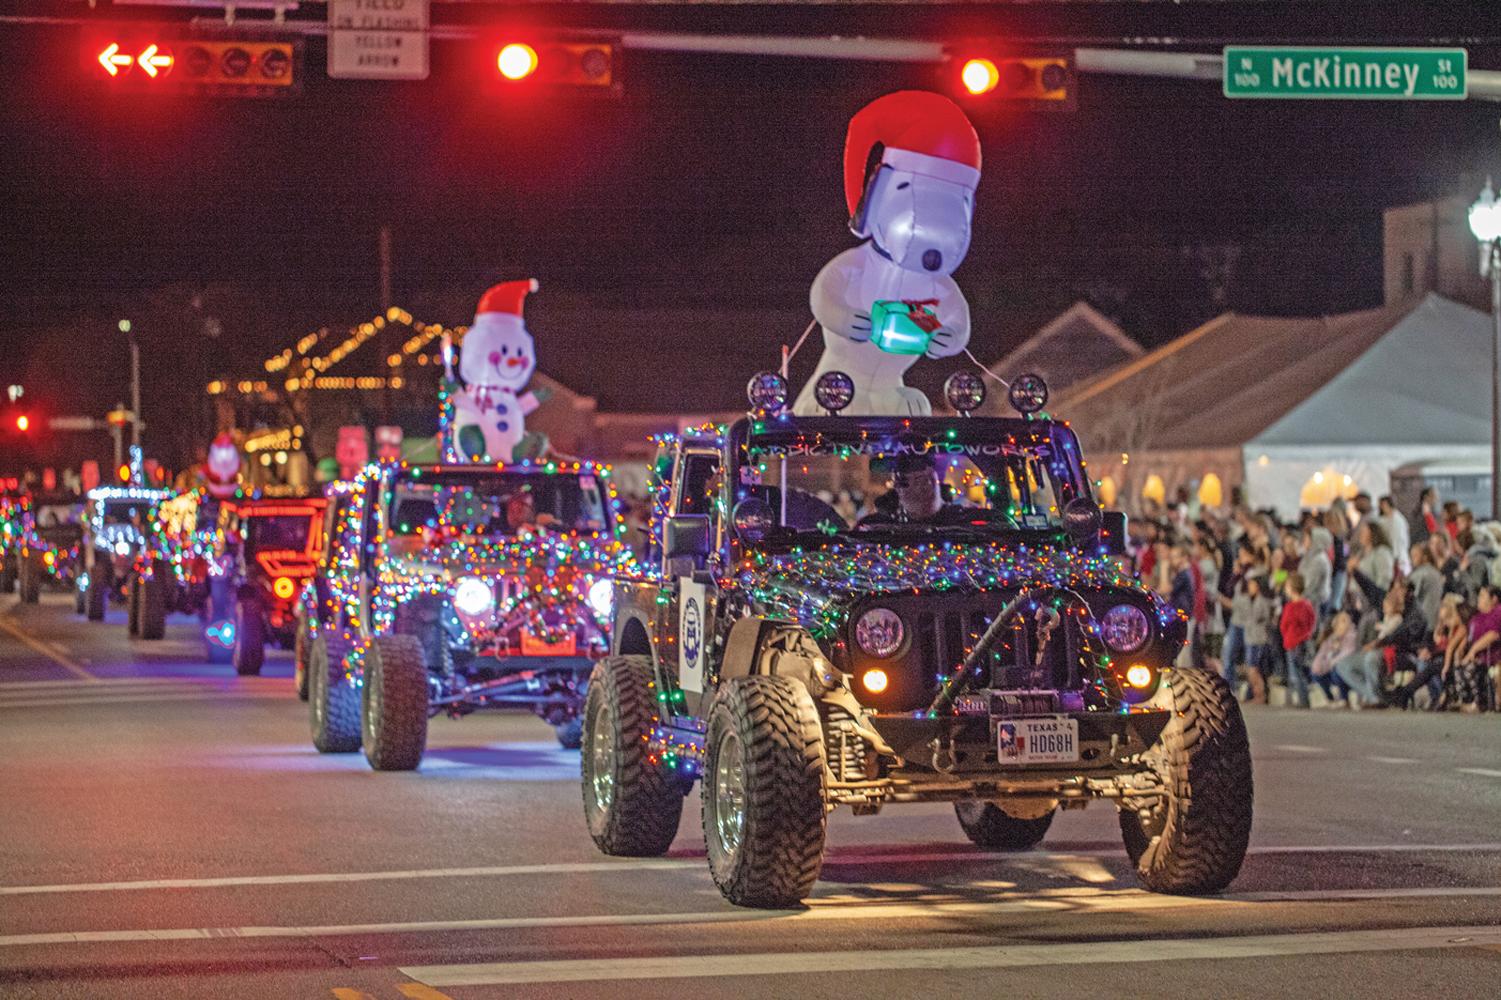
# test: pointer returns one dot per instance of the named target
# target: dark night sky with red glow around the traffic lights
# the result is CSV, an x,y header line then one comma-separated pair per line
x,y
712,182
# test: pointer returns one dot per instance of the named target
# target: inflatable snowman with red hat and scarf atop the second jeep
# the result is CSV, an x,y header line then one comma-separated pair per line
x,y
496,363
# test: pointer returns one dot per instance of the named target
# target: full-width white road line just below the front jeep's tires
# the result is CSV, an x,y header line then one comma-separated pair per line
x,y
841,911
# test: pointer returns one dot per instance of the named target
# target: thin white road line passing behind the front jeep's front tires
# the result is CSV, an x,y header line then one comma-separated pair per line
x,y
691,864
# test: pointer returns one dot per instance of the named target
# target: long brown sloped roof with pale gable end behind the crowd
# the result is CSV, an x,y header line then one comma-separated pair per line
x,y
1409,373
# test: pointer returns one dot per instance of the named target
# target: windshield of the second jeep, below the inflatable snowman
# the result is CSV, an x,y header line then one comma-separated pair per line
x,y
447,504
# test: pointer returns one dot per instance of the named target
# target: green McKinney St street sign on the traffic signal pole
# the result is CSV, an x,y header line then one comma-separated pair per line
x,y
1346,74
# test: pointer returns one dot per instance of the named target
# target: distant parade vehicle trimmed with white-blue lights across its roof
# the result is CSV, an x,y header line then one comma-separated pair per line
x,y
118,522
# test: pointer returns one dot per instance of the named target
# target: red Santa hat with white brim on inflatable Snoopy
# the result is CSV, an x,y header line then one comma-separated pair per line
x,y
913,131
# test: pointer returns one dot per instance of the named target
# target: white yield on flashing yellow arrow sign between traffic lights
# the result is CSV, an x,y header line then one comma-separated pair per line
x,y
379,40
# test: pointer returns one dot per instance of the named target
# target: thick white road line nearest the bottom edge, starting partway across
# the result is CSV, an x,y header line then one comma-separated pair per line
x,y
951,959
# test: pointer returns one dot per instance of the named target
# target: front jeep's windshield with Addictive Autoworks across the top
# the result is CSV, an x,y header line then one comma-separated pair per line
x,y
892,481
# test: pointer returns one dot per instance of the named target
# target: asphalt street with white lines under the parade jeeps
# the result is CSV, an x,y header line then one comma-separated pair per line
x,y
169,831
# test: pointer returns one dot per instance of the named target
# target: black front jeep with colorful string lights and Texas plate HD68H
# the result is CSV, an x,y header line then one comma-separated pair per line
x,y
993,655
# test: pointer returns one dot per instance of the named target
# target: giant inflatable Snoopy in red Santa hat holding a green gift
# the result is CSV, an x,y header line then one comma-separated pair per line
x,y
912,164
